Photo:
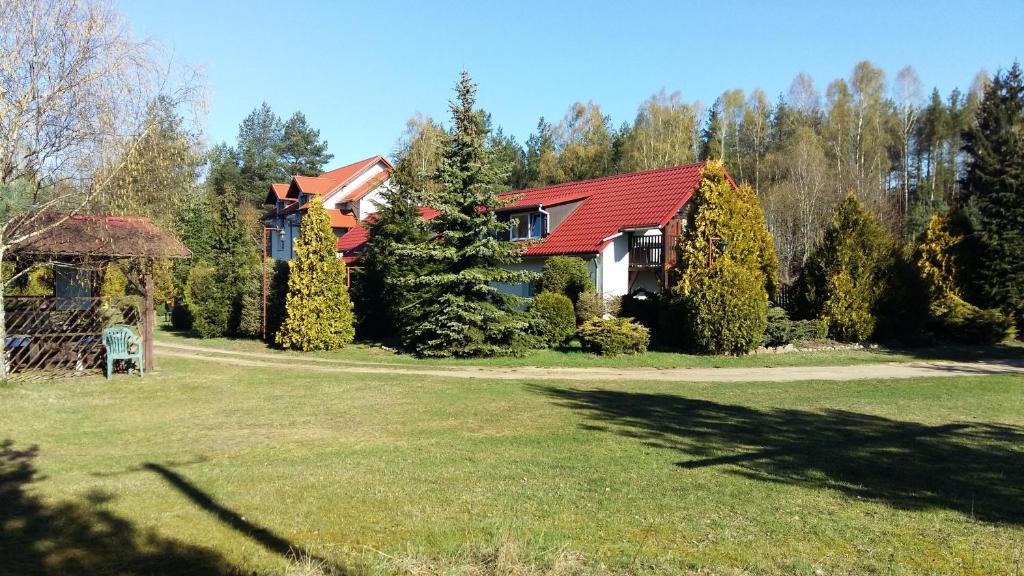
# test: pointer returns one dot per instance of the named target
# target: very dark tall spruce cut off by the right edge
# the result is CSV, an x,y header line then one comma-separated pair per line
x,y
994,187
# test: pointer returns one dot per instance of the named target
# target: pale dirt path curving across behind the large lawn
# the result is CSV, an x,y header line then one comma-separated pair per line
x,y
864,372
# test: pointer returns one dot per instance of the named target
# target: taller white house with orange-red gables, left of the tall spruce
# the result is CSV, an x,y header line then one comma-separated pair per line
x,y
349,194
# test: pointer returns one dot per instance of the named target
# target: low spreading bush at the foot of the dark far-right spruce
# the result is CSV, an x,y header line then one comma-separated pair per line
x,y
956,320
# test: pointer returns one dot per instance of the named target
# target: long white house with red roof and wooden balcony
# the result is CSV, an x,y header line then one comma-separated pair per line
x,y
625,227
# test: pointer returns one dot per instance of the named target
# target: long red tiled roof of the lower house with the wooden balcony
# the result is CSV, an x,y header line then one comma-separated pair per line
x,y
648,199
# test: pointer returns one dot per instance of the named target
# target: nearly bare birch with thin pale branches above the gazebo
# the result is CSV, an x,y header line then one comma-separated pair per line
x,y
75,92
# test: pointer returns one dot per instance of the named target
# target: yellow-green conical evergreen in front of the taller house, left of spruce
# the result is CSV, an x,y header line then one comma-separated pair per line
x,y
318,310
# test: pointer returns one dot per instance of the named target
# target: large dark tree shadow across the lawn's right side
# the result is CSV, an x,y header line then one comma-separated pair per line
x,y
975,469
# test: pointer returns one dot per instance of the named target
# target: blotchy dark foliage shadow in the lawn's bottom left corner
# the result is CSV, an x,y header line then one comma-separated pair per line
x,y
38,538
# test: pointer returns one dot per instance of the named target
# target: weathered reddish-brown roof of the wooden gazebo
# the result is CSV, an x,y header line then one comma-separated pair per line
x,y
103,237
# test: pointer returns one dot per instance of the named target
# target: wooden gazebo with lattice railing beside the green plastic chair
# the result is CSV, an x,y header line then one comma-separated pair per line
x,y
65,331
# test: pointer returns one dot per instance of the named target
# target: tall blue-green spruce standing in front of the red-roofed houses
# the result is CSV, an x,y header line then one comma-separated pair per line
x,y
459,311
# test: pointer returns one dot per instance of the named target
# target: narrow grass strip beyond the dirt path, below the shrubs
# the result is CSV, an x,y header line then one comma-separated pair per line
x,y
362,353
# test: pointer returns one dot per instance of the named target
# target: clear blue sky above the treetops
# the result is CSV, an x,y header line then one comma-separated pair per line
x,y
360,70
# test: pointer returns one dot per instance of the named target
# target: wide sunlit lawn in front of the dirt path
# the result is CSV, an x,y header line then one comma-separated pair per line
x,y
209,469
